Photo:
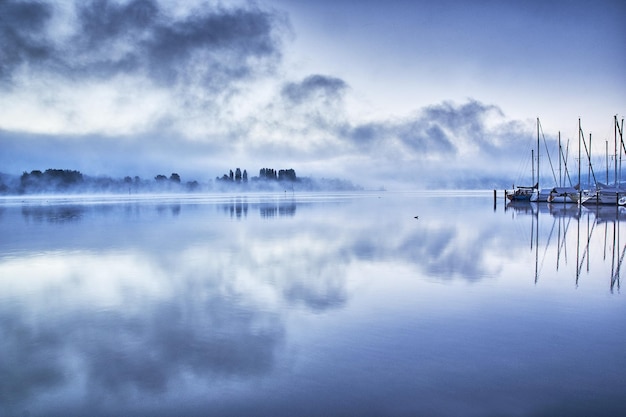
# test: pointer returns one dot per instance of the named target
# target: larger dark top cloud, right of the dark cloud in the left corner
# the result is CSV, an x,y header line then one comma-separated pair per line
x,y
212,47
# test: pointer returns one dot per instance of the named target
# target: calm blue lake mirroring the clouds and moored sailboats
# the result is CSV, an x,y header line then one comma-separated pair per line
x,y
287,304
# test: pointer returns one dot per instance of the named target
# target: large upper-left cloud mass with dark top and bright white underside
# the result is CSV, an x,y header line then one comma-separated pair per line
x,y
118,68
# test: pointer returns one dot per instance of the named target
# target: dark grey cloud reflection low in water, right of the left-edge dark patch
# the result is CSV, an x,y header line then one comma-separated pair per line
x,y
154,351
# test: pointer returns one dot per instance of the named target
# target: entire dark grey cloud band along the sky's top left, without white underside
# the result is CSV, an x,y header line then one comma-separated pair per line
x,y
212,46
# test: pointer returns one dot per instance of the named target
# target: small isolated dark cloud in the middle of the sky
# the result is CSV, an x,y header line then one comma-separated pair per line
x,y
312,87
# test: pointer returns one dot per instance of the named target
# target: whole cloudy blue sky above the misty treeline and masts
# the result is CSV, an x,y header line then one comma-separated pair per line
x,y
395,94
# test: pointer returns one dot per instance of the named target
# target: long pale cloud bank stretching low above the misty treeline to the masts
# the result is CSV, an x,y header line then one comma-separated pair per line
x,y
439,145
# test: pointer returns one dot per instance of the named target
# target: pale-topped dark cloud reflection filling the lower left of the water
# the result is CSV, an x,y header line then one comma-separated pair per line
x,y
148,331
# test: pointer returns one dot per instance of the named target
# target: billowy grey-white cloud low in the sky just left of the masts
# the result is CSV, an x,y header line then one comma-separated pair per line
x,y
446,144
